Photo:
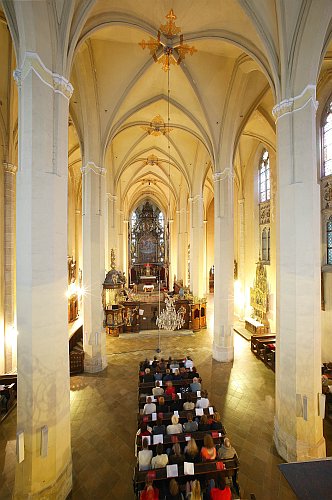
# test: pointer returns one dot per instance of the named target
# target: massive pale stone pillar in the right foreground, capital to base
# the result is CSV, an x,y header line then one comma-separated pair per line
x,y
298,430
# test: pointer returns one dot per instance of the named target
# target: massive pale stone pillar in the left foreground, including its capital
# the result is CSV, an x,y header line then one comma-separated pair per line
x,y
43,403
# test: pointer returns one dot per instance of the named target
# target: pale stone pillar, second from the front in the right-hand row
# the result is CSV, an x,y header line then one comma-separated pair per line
x,y
223,349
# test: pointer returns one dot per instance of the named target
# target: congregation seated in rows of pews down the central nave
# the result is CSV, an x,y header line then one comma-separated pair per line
x,y
181,445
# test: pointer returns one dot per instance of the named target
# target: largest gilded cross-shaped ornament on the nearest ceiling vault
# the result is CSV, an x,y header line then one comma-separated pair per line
x,y
171,52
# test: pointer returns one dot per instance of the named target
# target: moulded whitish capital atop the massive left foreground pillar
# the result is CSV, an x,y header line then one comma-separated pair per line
x,y
32,62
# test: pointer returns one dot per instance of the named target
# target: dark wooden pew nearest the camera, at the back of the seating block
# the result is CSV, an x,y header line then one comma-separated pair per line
x,y
202,470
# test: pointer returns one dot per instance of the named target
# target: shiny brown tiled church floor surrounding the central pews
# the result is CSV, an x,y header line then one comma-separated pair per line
x,y
104,406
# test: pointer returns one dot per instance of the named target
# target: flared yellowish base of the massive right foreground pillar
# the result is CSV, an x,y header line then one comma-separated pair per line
x,y
295,450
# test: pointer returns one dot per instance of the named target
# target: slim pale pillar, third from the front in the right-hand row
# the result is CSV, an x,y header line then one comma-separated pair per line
x,y
197,242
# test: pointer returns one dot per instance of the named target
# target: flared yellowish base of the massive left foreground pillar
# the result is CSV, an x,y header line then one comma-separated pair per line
x,y
58,490
